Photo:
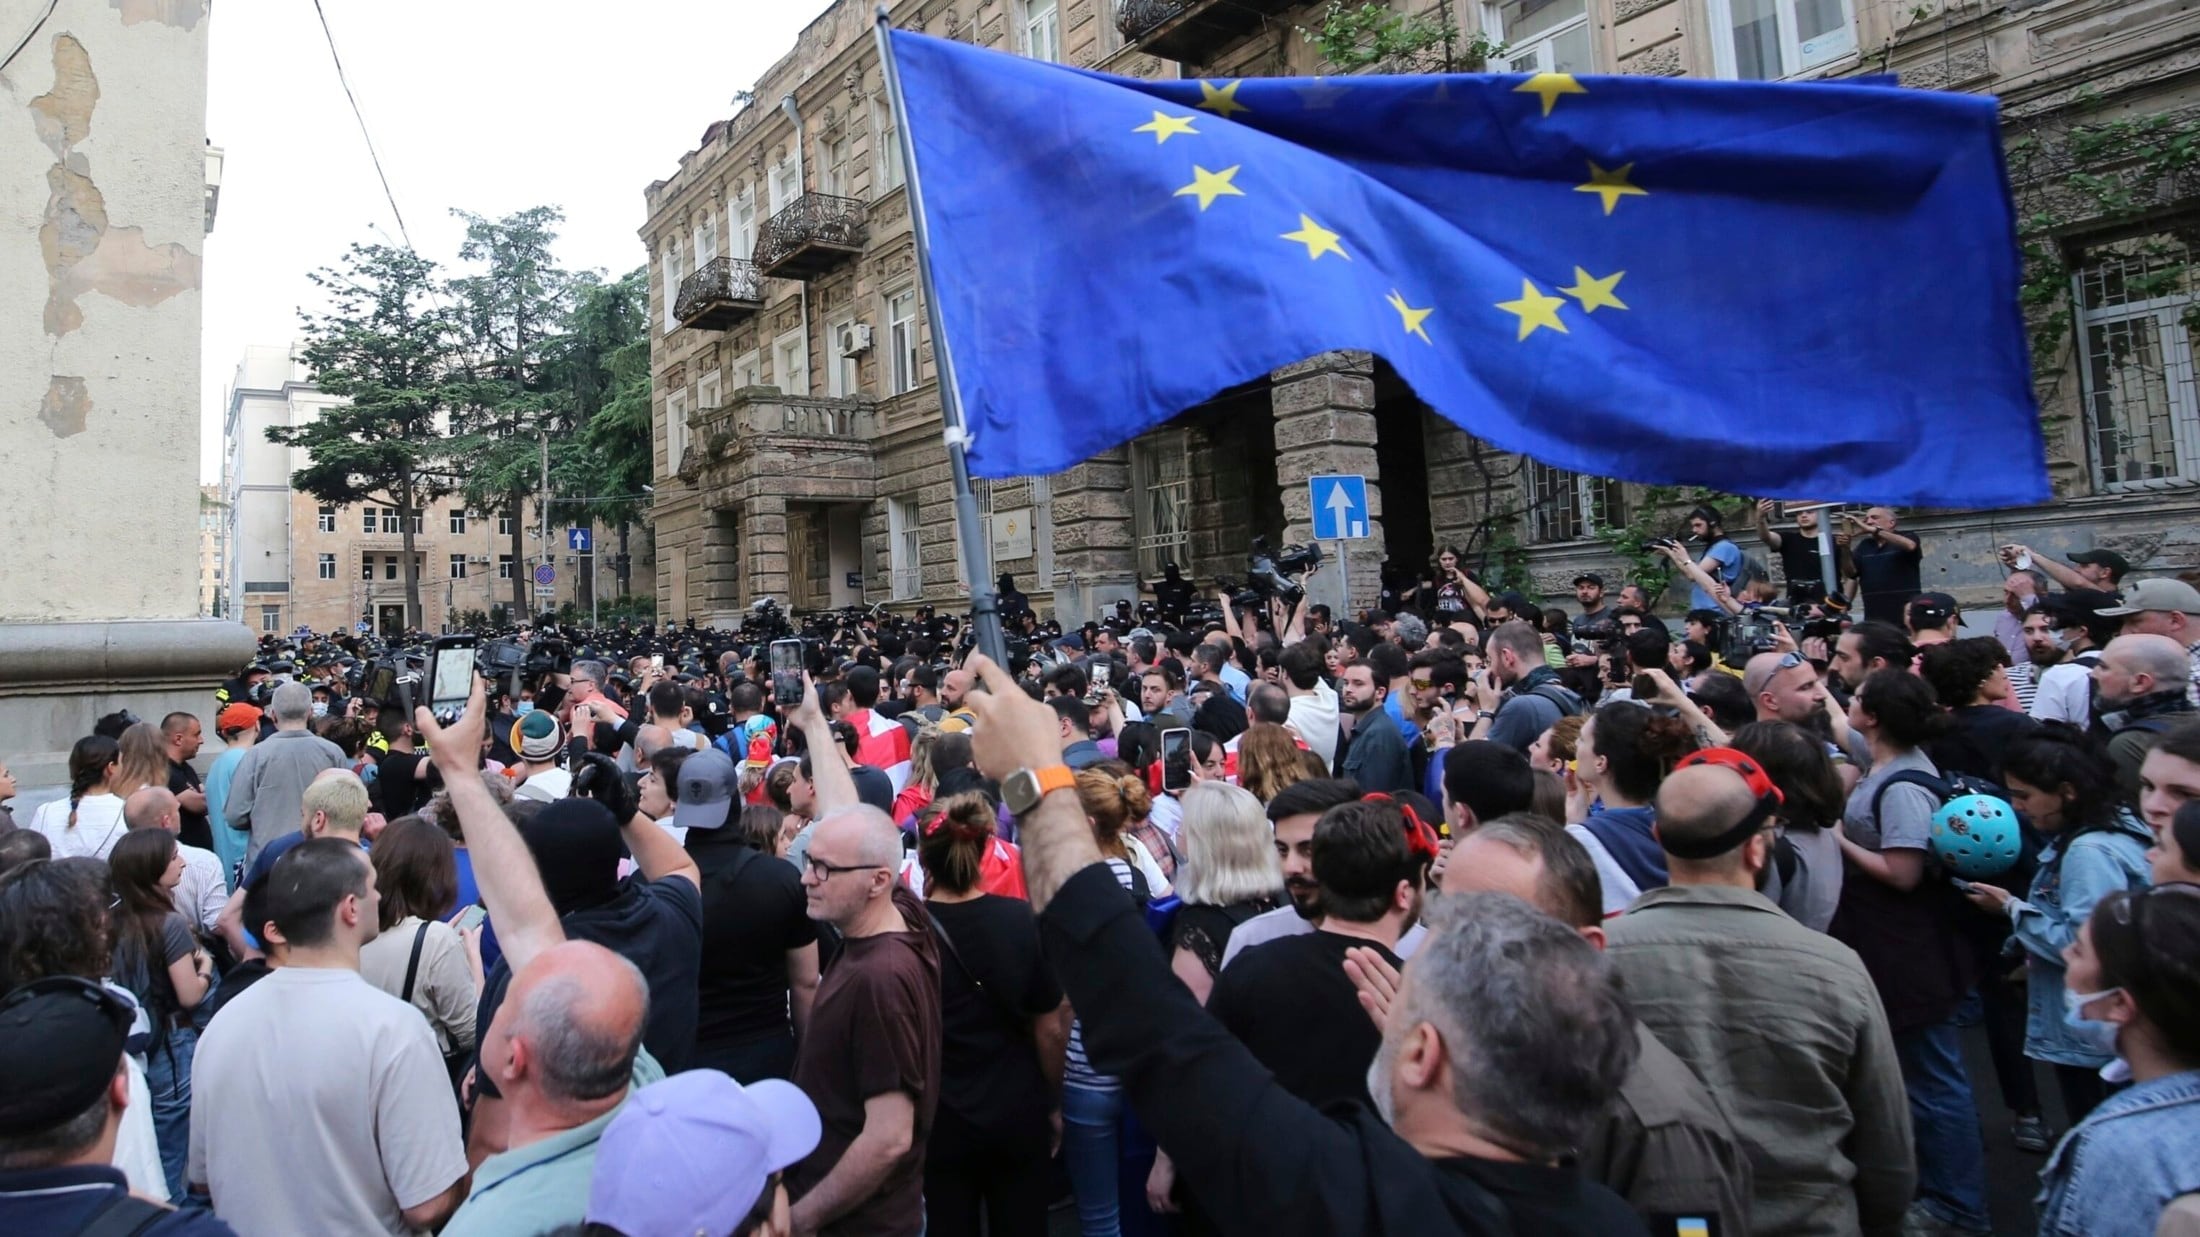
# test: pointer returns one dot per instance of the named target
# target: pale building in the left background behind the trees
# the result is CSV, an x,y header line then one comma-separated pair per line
x,y
296,560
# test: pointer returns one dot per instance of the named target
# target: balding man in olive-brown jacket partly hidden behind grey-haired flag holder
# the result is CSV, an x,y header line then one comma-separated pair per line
x,y
1669,1148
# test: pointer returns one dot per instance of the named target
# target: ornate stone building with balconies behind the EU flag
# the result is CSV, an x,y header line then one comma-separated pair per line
x,y
797,419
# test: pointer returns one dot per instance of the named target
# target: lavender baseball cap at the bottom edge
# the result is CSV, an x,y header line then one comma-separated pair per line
x,y
696,1152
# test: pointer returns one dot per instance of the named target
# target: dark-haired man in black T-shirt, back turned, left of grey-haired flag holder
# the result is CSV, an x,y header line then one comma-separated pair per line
x,y
1290,1000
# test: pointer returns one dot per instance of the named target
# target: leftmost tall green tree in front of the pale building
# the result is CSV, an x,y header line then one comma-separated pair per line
x,y
388,349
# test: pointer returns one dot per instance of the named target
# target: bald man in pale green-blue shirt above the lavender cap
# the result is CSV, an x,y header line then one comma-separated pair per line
x,y
566,1051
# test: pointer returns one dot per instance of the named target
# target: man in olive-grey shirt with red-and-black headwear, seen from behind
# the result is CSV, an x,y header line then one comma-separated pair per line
x,y
1781,1022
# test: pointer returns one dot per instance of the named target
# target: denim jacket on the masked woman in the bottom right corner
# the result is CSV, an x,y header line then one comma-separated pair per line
x,y
2117,1172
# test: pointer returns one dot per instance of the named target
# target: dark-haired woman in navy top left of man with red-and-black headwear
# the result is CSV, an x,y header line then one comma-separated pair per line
x,y
1620,758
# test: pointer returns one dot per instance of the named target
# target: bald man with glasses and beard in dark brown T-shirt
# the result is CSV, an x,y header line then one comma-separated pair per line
x,y
872,1051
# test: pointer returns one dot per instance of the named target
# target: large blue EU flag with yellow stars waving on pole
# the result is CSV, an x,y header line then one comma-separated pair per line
x,y
1805,292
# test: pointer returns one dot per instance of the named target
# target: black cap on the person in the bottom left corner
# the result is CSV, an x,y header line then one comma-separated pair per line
x,y
60,1047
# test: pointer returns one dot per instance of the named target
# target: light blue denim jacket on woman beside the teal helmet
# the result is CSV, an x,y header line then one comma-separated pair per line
x,y
2069,884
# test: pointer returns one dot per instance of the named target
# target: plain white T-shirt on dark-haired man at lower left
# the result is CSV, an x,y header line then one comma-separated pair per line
x,y
320,1104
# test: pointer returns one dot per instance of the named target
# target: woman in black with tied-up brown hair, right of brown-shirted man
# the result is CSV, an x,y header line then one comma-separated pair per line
x,y
1006,1031
